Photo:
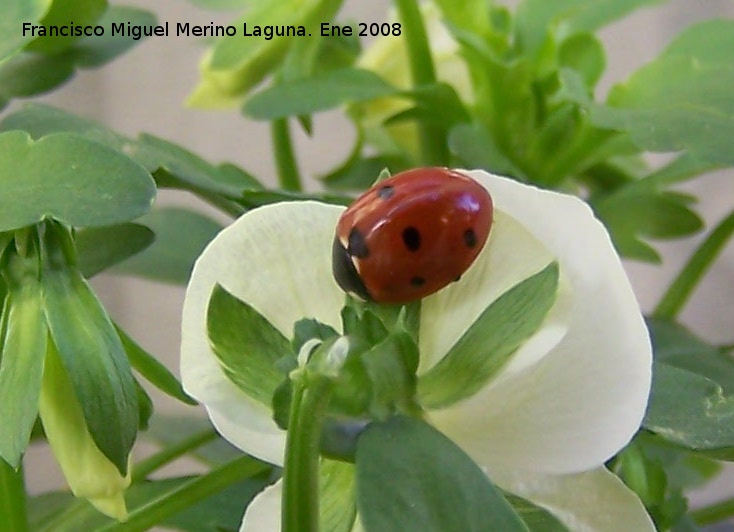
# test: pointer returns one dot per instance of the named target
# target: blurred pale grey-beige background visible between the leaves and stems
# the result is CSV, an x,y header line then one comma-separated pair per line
x,y
145,91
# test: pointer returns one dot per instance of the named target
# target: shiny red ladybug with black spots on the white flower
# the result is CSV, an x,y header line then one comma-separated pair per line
x,y
410,235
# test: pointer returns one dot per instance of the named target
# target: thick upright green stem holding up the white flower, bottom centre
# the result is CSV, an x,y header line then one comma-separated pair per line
x,y
300,508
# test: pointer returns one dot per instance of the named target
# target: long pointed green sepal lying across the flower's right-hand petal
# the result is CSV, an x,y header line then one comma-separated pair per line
x,y
490,341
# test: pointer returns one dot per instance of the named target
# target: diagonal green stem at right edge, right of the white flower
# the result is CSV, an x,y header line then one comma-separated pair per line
x,y
682,287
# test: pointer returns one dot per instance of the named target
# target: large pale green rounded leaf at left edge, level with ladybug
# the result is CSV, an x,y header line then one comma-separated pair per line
x,y
71,179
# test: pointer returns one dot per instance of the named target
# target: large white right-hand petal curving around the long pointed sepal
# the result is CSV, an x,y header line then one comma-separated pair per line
x,y
583,399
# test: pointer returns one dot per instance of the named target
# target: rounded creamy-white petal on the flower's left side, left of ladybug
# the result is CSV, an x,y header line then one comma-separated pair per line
x,y
278,259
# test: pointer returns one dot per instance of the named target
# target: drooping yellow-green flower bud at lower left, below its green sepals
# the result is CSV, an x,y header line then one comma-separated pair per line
x,y
88,472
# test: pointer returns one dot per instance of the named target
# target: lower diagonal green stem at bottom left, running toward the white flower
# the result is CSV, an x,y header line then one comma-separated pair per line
x,y
186,495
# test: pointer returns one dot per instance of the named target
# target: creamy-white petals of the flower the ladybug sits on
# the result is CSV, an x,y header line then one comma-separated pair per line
x,y
569,399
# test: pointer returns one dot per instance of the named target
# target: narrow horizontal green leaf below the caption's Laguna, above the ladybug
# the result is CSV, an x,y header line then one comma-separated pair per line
x,y
318,93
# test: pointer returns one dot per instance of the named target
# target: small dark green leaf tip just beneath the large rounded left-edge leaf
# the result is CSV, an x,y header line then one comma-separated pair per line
x,y
100,248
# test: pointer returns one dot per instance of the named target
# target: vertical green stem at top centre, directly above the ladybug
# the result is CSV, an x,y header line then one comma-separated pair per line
x,y
432,137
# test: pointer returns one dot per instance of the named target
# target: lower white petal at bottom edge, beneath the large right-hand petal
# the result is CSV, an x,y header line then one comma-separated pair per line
x,y
594,501
